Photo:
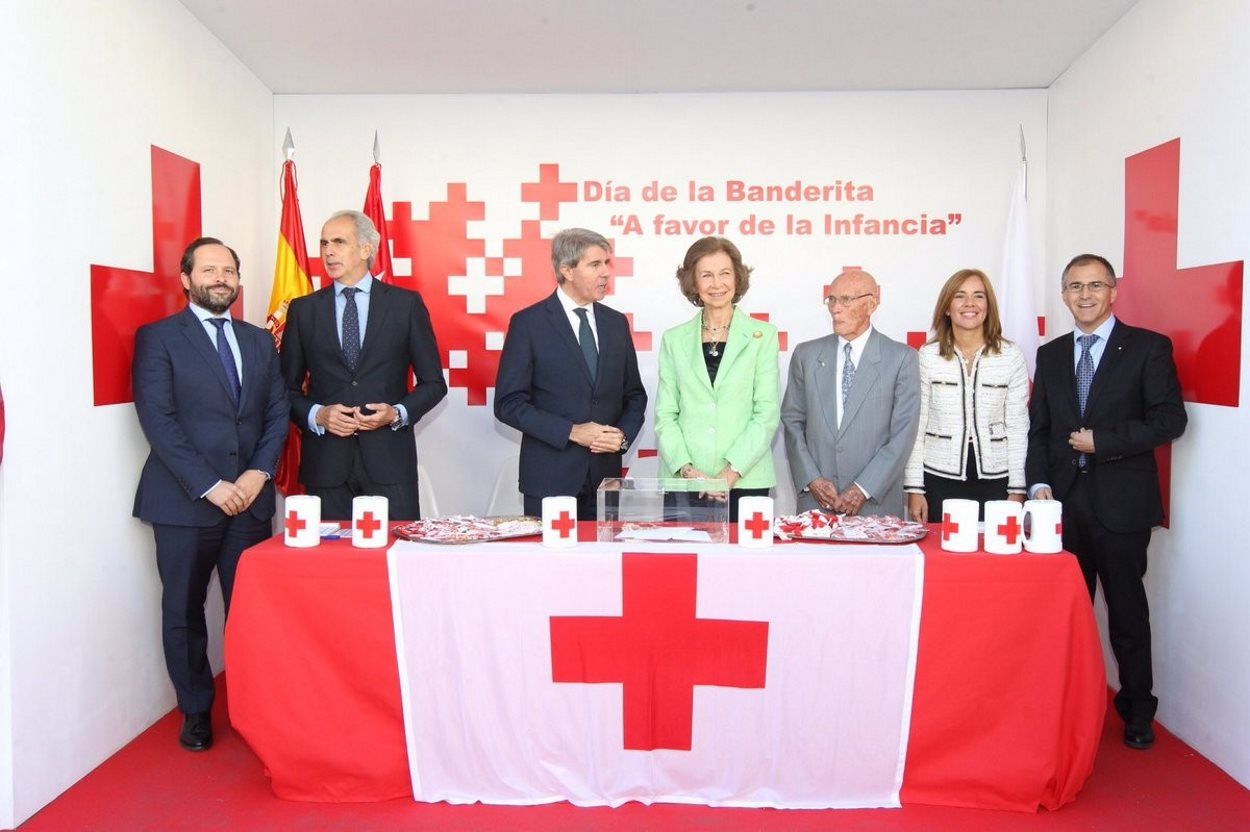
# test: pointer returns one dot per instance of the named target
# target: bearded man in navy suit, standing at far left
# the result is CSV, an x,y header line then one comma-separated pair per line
x,y
213,407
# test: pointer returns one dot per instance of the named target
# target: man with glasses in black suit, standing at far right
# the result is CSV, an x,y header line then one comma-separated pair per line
x,y
1104,398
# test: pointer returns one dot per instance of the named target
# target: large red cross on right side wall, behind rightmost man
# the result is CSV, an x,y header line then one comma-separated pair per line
x,y
1199,308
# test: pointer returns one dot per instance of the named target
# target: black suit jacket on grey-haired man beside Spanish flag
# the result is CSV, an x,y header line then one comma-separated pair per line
x,y
398,337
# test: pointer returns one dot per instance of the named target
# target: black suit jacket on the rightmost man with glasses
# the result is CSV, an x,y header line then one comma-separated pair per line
x,y
1134,407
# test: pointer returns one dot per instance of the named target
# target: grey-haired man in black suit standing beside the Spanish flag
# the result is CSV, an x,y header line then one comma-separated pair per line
x,y
354,343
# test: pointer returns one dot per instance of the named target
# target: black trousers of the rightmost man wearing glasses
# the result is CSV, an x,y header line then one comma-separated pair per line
x,y
1118,560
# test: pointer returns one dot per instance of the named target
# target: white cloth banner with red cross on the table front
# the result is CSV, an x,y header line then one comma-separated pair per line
x,y
621,673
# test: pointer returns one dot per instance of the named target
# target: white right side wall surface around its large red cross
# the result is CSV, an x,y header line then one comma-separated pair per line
x,y
1168,71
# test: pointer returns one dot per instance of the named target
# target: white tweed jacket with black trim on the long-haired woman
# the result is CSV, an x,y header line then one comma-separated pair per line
x,y
988,408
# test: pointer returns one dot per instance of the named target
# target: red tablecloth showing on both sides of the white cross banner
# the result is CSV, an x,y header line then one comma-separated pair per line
x,y
1008,709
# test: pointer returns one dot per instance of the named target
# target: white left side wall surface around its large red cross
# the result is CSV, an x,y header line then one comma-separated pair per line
x,y
91,87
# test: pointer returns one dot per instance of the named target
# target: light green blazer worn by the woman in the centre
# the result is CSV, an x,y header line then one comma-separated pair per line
x,y
732,423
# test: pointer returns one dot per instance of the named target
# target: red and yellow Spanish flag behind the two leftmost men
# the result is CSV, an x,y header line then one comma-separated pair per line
x,y
291,282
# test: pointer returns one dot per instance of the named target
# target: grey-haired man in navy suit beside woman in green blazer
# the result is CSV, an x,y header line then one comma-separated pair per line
x,y
568,380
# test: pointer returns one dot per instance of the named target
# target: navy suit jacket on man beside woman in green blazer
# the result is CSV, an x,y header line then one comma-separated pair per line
x,y
544,389
